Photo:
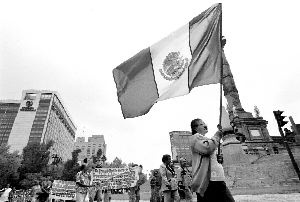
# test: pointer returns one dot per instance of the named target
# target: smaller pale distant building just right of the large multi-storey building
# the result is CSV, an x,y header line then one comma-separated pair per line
x,y
91,147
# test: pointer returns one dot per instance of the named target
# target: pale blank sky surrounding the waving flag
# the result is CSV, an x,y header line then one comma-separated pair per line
x,y
72,47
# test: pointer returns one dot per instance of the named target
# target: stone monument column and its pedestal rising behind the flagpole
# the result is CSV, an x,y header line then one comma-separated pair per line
x,y
250,131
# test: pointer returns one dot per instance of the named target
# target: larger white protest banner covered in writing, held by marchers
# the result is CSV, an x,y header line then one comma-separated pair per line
x,y
115,178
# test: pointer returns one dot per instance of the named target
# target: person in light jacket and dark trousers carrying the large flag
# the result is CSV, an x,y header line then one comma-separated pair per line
x,y
208,179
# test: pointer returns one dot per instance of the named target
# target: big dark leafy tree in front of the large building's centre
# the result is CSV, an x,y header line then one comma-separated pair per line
x,y
36,157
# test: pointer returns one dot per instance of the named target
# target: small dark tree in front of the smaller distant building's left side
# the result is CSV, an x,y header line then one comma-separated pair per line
x,y
71,167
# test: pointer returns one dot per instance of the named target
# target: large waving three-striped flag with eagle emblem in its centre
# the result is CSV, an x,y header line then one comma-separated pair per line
x,y
187,58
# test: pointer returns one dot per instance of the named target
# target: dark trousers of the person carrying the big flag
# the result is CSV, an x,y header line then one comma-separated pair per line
x,y
216,191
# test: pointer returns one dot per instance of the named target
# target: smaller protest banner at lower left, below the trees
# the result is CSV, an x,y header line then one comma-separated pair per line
x,y
65,190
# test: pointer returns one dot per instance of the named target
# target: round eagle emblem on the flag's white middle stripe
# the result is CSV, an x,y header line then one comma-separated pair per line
x,y
173,66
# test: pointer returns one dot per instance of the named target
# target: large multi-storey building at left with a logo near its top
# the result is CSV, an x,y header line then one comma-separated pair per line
x,y
41,117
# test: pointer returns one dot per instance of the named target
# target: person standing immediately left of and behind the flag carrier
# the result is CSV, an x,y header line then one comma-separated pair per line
x,y
184,180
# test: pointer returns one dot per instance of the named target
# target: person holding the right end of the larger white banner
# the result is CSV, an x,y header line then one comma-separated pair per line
x,y
134,192
